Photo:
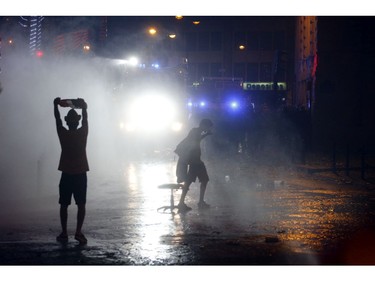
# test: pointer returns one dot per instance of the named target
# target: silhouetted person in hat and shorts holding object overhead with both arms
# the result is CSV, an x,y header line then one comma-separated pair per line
x,y
73,166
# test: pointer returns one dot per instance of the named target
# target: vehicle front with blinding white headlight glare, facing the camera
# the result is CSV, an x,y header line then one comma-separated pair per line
x,y
149,106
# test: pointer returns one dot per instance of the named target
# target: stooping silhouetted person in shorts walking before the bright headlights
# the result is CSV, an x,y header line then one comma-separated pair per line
x,y
190,165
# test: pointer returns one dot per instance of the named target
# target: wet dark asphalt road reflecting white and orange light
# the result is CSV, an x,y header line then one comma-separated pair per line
x,y
301,219
